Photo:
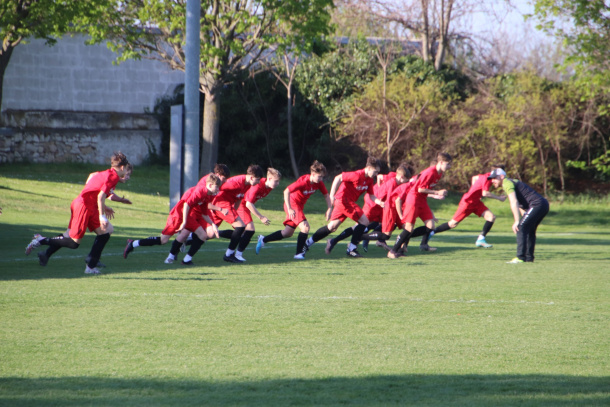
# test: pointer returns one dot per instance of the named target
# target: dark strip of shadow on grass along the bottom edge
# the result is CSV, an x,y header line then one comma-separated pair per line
x,y
399,390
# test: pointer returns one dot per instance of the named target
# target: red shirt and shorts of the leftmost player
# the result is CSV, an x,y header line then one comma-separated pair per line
x,y
84,211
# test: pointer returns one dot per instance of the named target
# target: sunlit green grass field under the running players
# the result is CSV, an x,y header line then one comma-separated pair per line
x,y
456,327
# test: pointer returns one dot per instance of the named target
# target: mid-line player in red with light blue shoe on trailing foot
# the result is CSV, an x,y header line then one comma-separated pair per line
x,y
295,197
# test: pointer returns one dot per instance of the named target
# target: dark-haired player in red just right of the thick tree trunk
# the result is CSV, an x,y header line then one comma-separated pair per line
x,y
231,192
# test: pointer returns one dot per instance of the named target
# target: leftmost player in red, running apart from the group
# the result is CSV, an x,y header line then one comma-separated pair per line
x,y
88,211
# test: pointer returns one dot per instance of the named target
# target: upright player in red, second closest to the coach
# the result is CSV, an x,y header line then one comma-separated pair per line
x,y
417,204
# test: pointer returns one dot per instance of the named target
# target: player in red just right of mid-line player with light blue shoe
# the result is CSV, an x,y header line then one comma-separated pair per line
x,y
345,191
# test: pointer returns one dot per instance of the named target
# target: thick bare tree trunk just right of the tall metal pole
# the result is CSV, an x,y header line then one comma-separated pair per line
x,y
211,122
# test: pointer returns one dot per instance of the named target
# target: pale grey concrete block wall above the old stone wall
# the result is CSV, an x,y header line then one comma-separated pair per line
x,y
73,76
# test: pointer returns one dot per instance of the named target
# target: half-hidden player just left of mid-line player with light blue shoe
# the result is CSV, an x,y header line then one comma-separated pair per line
x,y
247,208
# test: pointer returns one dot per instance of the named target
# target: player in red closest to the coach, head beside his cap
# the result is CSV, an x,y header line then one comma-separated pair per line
x,y
471,203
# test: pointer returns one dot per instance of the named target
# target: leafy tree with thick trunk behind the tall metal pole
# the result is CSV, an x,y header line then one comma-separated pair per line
x,y
235,36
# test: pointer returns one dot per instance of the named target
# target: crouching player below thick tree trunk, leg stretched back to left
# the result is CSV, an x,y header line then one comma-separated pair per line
x,y
184,219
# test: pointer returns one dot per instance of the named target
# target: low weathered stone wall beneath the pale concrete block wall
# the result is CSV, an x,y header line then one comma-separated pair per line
x,y
59,136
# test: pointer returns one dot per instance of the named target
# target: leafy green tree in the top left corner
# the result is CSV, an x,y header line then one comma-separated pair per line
x,y
21,20
